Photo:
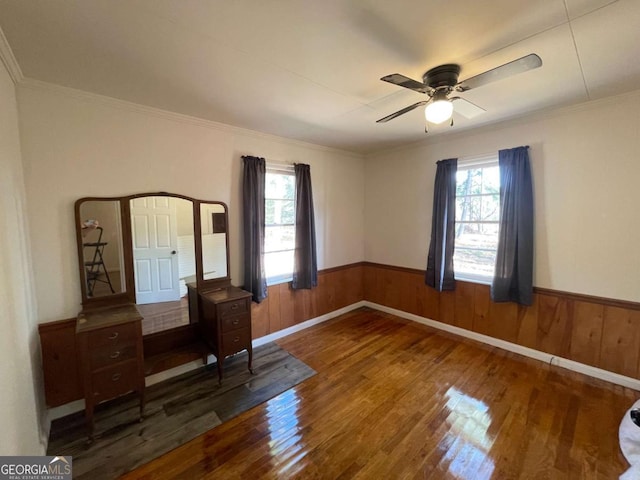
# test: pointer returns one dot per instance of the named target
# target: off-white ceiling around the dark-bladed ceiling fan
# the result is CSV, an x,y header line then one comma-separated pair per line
x,y
309,70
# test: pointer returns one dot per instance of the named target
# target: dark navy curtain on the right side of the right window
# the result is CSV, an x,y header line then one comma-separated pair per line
x,y
513,278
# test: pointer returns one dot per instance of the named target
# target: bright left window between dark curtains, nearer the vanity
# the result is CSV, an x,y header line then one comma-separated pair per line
x,y
280,217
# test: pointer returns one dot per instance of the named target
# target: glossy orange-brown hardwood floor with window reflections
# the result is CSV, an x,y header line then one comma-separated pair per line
x,y
395,399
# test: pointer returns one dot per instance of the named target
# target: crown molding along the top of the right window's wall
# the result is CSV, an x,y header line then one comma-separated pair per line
x,y
535,116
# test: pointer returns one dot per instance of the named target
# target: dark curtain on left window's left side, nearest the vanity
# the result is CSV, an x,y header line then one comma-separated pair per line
x,y
253,184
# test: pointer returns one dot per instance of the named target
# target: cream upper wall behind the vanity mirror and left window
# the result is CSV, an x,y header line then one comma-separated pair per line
x,y
77,145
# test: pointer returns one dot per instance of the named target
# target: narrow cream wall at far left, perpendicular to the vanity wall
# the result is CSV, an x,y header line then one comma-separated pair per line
x,y
21,398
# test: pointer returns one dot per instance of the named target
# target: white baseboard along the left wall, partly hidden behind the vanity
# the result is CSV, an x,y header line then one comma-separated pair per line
x,y
78,405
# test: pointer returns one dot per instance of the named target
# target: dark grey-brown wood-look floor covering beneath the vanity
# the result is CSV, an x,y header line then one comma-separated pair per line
x,y
176,411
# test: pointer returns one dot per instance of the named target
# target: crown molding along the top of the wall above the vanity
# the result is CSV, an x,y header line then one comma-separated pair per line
x,y
126,105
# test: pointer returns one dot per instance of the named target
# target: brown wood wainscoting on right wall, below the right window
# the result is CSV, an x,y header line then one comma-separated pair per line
x,y
596,331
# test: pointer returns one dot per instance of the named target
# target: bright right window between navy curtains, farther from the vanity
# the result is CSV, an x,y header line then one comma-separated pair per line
x,y
477,217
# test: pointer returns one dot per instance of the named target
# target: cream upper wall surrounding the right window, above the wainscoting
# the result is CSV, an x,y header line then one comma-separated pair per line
x,y
586,169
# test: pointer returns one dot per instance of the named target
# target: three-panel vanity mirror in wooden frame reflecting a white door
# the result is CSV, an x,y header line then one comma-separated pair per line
x,y
146,248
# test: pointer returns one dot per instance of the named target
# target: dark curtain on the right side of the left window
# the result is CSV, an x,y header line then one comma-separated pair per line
x,y
305,263
